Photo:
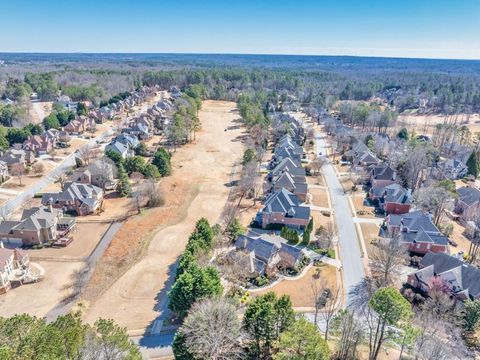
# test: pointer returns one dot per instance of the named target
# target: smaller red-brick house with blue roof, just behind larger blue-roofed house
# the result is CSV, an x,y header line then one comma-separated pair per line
x,y
393,198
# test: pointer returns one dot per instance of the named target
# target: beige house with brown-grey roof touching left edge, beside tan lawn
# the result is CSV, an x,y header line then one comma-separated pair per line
x,y
38,225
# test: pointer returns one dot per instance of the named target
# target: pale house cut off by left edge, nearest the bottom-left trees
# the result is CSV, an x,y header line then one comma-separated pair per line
x,y
14,265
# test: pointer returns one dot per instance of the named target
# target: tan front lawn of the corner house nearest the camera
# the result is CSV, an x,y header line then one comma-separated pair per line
x,y
300,290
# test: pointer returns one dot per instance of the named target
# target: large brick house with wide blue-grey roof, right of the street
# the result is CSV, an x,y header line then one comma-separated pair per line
x,y
417,233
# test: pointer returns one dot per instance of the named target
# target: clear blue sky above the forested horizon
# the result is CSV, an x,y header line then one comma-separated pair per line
x,y
391,28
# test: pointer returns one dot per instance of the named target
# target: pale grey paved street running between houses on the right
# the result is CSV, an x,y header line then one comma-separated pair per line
x,y
350,253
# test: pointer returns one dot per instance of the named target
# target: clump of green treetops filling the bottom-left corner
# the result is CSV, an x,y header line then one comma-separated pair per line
x,y
27,337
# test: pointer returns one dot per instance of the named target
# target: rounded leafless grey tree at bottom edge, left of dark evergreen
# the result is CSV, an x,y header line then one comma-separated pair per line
x,y
212,330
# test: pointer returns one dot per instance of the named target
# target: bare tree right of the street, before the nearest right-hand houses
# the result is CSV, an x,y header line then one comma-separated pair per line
x,y
386,261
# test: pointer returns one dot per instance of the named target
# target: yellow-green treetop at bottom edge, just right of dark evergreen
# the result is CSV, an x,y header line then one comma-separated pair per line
x,y
301,341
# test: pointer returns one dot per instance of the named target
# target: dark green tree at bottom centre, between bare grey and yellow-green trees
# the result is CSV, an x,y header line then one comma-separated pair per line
x,y
265,318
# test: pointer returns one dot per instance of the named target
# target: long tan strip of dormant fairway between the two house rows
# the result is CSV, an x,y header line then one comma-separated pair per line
x,y
195,189
